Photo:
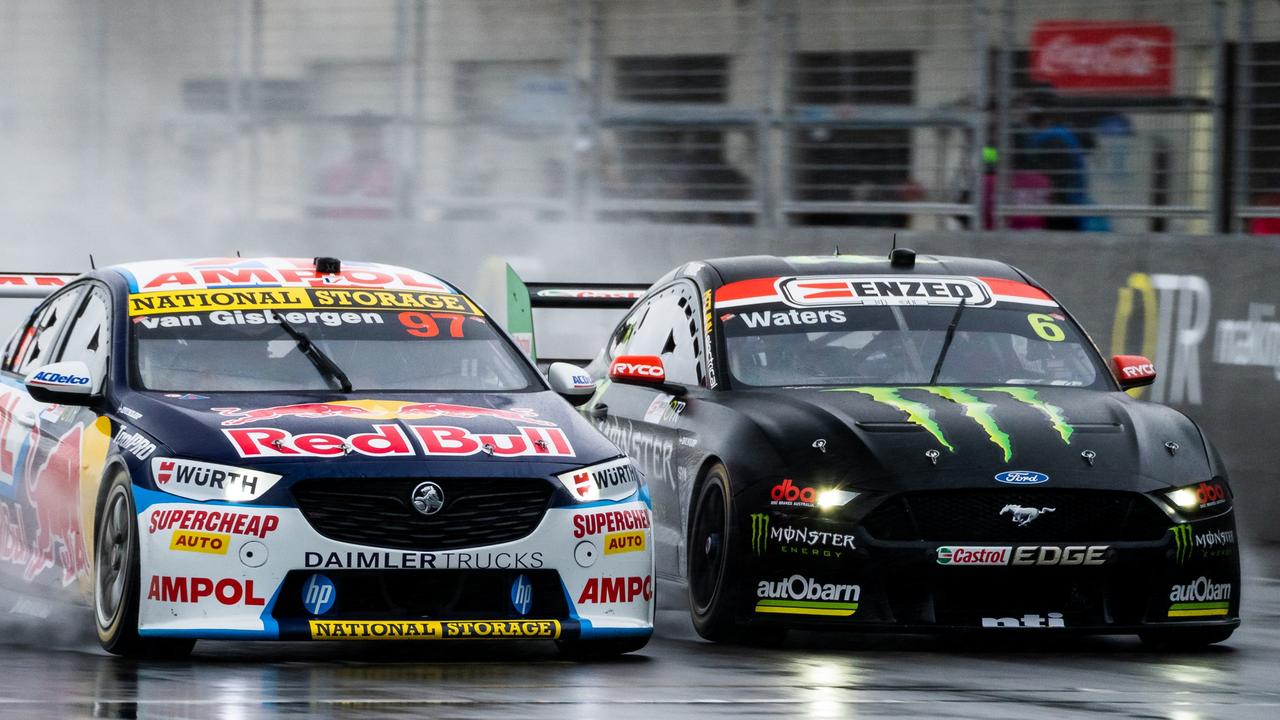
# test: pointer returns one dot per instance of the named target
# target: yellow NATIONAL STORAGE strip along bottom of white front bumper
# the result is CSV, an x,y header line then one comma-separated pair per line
x,y
433,630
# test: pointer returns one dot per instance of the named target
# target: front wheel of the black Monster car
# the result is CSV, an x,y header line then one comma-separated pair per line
x,y
714,591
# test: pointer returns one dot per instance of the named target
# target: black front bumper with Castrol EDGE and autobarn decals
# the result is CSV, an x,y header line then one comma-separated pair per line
x,y
838,576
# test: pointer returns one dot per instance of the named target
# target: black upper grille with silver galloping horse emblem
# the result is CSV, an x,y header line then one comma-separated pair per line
x,y
975,516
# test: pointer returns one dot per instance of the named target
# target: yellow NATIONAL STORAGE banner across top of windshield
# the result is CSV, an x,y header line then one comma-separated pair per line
x,y
295,299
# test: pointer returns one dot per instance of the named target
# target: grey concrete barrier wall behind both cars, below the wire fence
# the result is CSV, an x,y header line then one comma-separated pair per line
x,y
1203,308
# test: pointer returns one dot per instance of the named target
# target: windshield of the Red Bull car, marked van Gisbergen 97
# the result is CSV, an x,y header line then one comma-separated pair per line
x,y
249,349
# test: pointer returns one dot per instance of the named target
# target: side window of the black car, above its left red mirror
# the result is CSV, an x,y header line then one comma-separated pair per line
x,y
668,327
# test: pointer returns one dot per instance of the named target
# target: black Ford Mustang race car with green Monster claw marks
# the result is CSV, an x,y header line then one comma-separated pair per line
x,y
911,444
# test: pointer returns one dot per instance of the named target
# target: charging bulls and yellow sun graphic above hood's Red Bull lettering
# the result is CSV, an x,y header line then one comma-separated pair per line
x,y
378,411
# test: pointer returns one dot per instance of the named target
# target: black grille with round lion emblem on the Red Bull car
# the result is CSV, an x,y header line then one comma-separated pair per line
x,y
377,512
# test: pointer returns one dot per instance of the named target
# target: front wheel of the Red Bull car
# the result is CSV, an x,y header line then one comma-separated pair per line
x,y
117,586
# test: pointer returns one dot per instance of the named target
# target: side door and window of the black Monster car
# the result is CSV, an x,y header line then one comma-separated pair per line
x,y
644,422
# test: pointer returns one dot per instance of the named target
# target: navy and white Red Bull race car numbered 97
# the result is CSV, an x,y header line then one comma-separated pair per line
x,y
276,449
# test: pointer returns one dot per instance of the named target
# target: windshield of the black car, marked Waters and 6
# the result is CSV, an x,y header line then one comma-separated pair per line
x,y
776,345
